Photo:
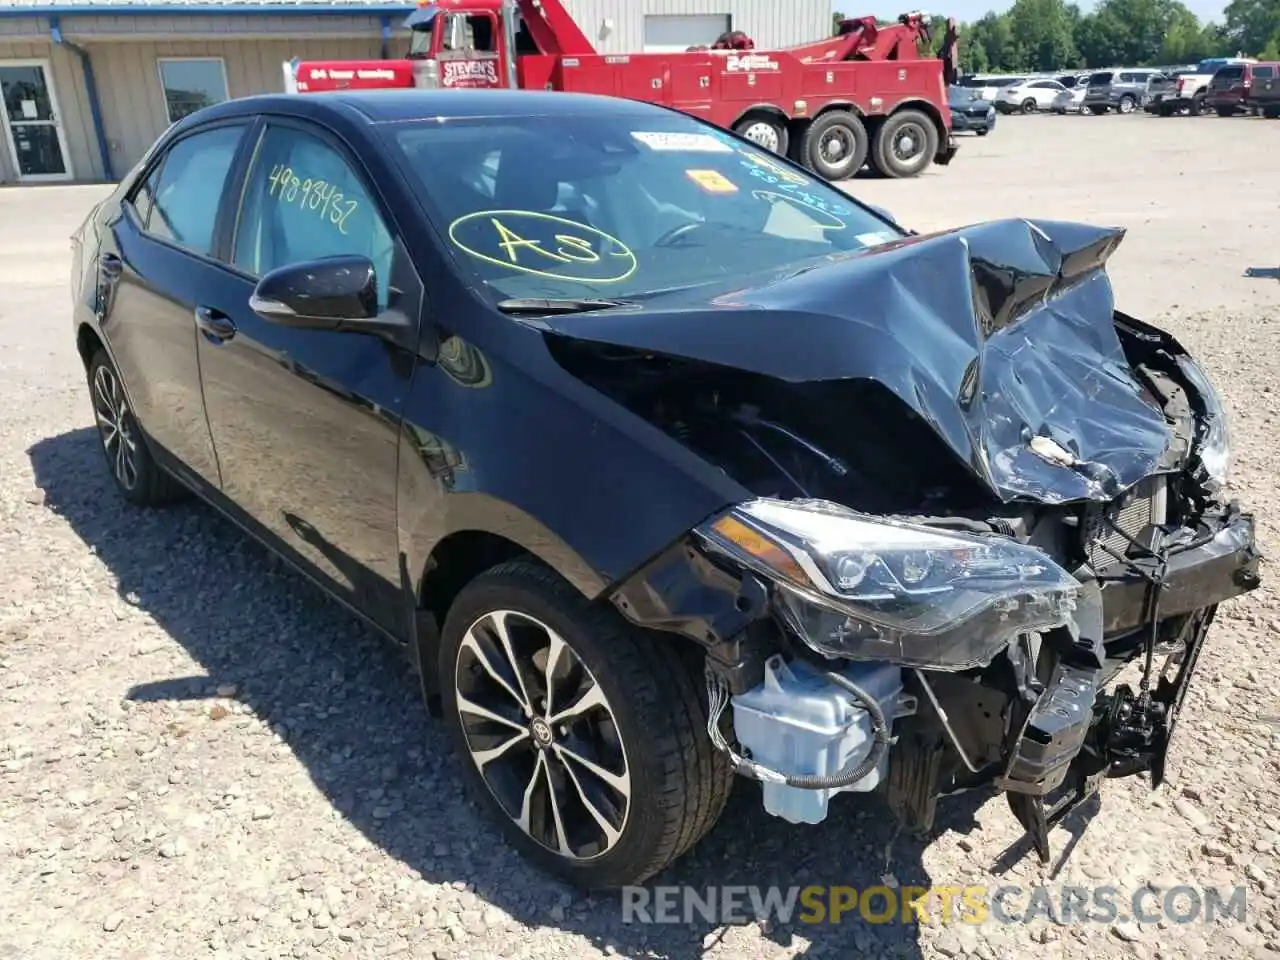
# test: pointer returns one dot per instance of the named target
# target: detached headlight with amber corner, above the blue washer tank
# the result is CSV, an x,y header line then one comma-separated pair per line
x,y
874,589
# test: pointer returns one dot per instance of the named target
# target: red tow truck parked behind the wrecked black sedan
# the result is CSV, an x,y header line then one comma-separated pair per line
x,y
865,95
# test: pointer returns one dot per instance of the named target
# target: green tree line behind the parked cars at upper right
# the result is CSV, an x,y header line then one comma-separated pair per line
x,y
1054,35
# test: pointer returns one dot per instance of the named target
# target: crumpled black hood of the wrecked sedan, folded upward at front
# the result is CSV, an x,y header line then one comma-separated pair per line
x,y
1000,336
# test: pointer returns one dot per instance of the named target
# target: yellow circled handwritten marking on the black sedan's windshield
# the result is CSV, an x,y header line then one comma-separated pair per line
x,y
543,245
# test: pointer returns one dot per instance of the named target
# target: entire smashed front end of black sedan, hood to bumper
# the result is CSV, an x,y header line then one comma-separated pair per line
x,y
981,493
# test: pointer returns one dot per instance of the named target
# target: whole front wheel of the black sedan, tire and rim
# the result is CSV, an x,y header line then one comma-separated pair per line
x,y
647,732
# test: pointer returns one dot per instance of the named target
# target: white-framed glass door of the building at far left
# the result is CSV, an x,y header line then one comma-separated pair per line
x,y
34,127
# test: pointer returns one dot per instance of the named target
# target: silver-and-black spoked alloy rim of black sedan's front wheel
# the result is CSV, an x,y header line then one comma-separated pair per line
x,y
543,735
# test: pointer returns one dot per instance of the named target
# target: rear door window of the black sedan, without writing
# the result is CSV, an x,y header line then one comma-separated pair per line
x,y
190,189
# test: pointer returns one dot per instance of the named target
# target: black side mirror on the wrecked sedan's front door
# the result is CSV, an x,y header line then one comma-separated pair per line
x,y
319,295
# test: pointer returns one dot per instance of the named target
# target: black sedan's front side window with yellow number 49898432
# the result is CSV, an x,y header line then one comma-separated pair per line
x,y
303,202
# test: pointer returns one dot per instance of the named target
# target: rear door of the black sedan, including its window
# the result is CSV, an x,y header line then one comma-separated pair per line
x,y
158,267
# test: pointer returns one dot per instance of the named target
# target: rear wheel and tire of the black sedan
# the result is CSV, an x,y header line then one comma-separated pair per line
x,y
138,477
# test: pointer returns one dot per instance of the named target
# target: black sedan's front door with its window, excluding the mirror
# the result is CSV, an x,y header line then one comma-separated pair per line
x,y
307,423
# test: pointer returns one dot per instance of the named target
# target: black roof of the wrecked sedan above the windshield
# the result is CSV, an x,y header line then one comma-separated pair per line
x,y
394,106
